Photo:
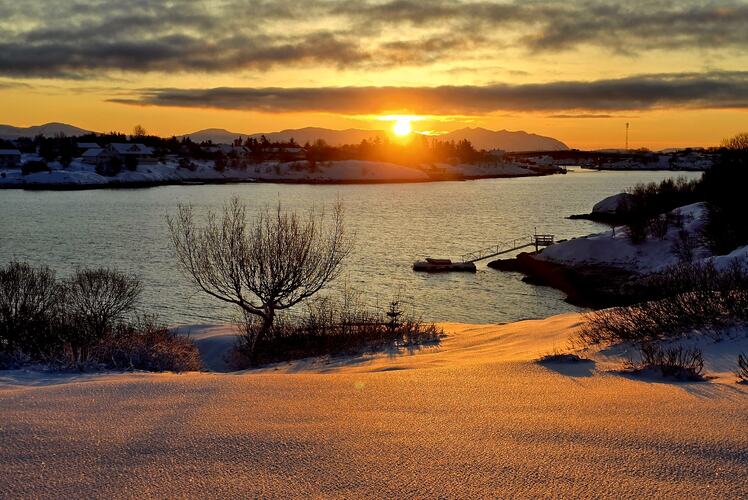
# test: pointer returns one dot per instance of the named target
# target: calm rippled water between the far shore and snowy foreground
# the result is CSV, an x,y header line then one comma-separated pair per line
x,y
395,224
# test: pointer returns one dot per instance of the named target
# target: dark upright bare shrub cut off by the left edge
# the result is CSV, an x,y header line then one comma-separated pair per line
x,y
28,299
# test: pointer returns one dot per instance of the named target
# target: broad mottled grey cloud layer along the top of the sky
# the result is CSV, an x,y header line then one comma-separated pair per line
x,y
82,39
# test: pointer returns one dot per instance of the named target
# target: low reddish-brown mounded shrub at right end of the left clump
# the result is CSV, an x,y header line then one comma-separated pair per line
x,y
147,345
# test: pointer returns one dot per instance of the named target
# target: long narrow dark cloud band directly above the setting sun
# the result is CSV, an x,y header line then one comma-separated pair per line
x,y
707,90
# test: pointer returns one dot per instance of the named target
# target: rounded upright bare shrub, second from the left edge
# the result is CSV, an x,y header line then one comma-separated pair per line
x,y
95,300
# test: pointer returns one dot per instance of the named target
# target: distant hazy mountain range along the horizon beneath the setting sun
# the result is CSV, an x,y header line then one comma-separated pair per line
x,y
481,138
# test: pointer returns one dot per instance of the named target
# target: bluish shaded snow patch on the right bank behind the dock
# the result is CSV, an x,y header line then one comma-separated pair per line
x,y
614,248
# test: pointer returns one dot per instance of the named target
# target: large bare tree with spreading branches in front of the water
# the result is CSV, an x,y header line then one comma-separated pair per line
x,y
263,266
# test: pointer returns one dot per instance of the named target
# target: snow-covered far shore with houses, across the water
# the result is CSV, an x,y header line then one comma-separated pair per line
x,y
83,174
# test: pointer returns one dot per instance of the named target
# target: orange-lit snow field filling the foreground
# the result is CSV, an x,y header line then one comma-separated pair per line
x,y
477,416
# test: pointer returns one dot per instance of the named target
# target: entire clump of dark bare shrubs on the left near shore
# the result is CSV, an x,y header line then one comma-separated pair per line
x,y
84,321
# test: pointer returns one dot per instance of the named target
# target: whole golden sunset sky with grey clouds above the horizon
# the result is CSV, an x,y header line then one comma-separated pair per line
x,y
574,70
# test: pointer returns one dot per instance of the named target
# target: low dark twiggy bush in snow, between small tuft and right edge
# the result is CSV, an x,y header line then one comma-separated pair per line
x,y
676,362
